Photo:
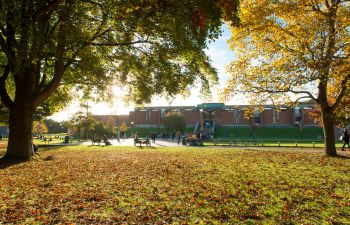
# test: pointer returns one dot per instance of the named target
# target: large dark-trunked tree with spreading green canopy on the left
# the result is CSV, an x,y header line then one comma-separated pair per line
x,y
152,46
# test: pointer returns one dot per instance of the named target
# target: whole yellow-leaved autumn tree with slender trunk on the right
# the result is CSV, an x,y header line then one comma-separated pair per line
x,y
294,49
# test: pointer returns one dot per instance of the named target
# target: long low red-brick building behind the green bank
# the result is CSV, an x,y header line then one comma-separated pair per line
x,y
223,115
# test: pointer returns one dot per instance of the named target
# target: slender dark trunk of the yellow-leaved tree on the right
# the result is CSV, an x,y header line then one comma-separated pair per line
x,y
328,129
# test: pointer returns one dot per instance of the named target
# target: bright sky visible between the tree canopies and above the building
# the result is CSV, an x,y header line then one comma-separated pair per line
x,y
220,55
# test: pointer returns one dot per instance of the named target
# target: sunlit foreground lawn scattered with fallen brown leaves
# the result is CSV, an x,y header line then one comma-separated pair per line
x,y
102,185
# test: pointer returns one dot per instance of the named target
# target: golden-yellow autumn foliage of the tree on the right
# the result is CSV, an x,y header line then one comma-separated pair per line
x,y
280,46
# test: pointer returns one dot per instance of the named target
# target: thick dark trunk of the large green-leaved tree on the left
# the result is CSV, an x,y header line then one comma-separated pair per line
x,y
20,145
